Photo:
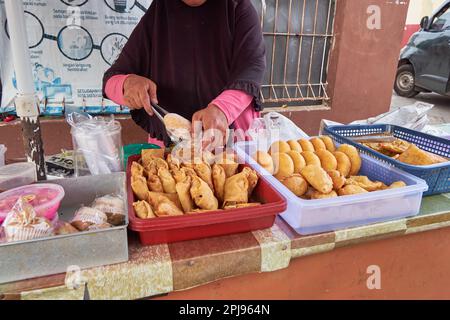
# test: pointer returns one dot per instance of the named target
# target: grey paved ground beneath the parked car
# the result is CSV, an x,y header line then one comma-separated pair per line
x,y
438,115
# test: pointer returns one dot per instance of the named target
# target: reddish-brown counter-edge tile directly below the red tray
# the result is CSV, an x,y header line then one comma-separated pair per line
x,y
206,260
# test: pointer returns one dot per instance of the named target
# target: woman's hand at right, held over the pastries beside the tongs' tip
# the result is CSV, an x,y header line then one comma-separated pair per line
x,y
214,122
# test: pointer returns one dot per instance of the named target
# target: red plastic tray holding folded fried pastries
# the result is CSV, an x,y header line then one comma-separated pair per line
x,y
209,224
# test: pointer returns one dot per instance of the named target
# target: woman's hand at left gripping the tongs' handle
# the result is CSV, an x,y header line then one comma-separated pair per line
x,y
138,92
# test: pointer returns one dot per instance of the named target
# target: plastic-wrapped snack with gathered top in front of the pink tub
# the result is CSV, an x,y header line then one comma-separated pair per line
x,y
23,224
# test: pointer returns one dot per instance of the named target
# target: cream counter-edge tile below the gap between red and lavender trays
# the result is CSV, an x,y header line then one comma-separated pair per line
x,y
275,248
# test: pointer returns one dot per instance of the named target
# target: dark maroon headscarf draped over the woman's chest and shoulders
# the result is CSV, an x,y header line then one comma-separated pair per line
x,y
193,54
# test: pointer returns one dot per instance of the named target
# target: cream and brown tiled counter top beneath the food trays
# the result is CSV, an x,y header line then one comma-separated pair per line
x,y
163,269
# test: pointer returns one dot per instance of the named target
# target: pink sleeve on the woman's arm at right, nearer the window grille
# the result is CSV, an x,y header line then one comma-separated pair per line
x,y
233,103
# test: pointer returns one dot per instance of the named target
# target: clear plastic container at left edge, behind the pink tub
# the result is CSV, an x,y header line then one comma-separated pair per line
x,y
17,175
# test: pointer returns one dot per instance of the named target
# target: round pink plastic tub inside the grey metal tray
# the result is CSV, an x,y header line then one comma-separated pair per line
x,y
45,199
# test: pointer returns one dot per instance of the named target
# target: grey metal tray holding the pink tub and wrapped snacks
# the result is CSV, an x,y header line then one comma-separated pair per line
x,y
48,256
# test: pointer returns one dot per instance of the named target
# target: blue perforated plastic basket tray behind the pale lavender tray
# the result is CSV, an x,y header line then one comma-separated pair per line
x,y
437,176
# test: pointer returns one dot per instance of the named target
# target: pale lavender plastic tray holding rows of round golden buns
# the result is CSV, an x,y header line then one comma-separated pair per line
x,y
316,216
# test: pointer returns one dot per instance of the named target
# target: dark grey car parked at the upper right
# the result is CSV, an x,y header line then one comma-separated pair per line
x,y
424,64
